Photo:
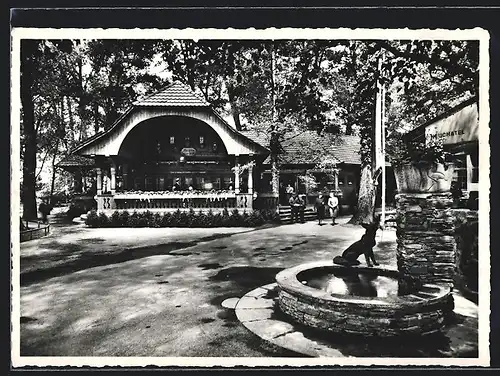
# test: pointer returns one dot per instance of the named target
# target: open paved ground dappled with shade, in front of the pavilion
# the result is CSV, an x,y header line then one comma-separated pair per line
x,y
158,292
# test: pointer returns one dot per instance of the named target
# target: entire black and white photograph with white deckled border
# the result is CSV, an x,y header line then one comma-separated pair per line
x,y
250,197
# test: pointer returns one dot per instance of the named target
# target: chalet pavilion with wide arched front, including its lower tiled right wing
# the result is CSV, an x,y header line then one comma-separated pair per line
x,y
171,150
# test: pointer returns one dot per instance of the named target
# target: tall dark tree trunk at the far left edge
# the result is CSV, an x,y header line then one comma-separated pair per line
x,y
30,147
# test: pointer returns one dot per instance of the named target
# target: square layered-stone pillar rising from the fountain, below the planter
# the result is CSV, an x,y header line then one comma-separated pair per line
x,y
425,230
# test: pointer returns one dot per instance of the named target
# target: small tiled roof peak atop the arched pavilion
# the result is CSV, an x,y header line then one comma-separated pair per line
x,y
176,94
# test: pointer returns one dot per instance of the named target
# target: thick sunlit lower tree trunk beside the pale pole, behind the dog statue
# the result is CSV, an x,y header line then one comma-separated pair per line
x,y
366,198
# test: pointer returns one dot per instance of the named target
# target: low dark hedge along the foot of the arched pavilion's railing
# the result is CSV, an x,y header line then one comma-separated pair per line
x,y
183,219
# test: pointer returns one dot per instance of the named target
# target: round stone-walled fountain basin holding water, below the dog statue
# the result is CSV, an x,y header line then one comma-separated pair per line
x,y
361,300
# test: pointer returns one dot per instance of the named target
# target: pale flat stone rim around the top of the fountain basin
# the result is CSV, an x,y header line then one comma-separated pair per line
x,y
287,280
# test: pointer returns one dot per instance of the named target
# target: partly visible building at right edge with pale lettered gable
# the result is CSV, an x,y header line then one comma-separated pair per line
x,y
458,129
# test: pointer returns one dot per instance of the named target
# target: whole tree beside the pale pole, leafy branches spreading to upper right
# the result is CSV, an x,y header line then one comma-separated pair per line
x,y
431,76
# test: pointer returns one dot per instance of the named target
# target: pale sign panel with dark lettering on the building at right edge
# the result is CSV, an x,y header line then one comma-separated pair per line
x,y
462,126
